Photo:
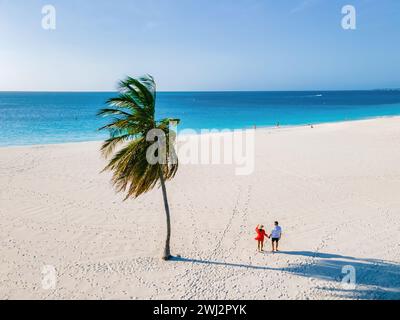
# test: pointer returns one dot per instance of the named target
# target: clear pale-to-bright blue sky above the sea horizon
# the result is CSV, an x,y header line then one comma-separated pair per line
x,y
200,44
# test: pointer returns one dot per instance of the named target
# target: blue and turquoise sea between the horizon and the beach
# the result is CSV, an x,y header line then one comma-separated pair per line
x,y
42,118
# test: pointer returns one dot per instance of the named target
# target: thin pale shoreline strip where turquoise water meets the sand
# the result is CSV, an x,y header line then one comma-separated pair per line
x,y
199,133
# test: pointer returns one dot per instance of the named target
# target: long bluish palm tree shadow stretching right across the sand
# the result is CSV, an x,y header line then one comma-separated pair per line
x,y
374,278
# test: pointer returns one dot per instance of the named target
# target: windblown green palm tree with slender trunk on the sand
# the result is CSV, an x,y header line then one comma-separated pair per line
x,y
133,118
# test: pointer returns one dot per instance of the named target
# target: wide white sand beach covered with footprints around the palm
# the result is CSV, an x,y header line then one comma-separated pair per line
x,y
335,190
